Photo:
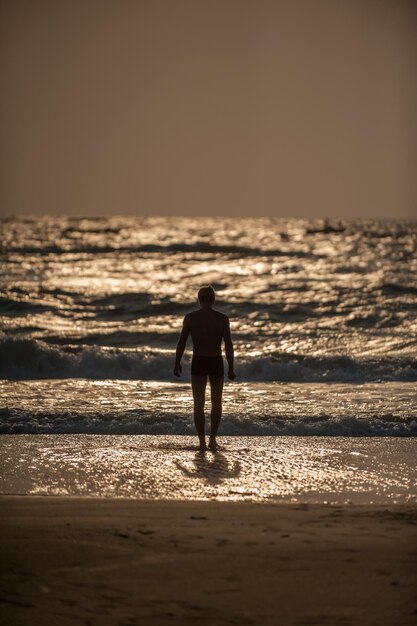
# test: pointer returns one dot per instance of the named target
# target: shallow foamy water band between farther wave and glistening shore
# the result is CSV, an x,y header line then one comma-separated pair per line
x,y
150,407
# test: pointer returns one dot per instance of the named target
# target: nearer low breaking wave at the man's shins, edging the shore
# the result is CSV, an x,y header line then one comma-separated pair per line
x,y
139,422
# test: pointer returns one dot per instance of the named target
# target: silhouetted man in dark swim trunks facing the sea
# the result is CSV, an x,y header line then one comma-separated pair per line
x,y
208,328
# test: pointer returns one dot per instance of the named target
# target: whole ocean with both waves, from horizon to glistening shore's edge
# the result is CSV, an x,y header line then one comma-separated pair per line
x,y
323,317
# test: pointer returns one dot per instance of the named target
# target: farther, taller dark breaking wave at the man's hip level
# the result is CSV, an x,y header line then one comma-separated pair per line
x,y
22,359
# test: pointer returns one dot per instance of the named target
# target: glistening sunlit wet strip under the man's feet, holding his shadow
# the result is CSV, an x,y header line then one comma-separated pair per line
x,y
289,469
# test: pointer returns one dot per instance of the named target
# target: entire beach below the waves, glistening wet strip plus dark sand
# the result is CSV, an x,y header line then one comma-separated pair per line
x,y
267,530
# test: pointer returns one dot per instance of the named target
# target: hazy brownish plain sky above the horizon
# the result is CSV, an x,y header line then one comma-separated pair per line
x,y
214,107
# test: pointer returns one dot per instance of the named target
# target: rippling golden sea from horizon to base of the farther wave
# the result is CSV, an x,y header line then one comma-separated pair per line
x,y
308,301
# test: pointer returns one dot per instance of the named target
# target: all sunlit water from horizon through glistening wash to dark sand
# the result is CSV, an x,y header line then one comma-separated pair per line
x,y
323,317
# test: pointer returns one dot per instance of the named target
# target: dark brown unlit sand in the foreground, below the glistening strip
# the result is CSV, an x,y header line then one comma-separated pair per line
x,y
97,561
